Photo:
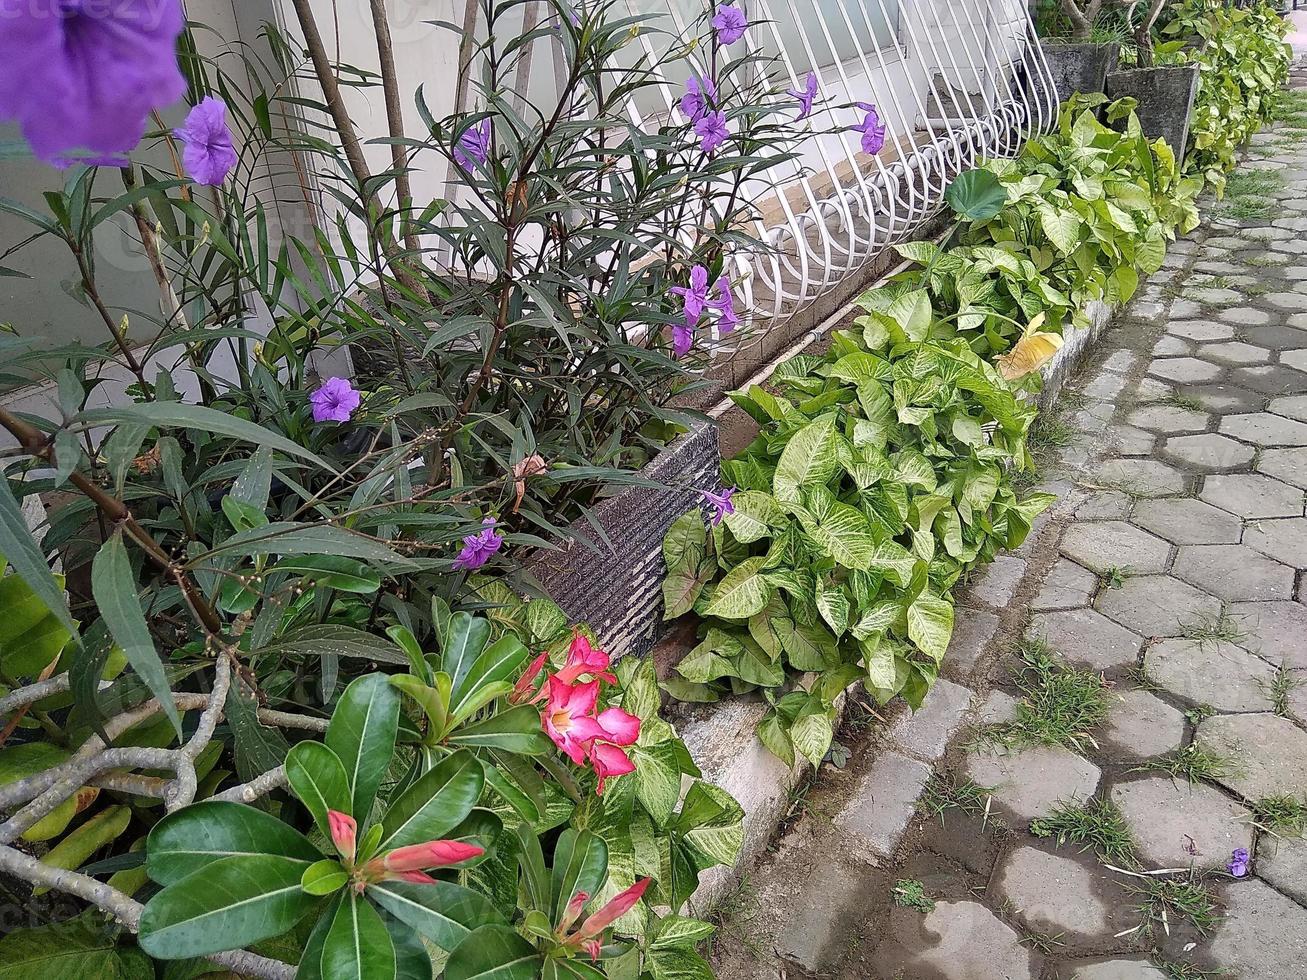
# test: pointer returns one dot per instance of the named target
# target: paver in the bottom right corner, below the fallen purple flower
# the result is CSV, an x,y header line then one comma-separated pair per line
x,y
1263,935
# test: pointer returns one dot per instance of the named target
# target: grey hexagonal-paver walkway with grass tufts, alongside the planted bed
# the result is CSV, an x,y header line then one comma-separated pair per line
x,y
1126,696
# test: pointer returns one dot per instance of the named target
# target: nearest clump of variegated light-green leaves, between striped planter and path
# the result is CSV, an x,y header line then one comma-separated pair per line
x,y
884,472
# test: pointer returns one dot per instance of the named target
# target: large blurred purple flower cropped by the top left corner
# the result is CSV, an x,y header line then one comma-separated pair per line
x,y
82,76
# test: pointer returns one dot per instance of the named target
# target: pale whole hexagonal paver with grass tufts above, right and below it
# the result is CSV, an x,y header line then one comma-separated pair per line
x,y
1211,672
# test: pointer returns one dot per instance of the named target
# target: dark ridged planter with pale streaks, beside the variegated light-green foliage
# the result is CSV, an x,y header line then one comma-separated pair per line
x,y
618,590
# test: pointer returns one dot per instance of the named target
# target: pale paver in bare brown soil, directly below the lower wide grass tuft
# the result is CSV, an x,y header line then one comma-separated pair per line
x,y
1057,896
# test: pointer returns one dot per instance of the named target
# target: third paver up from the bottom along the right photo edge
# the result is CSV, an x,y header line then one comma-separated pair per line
x,y
1267,755
